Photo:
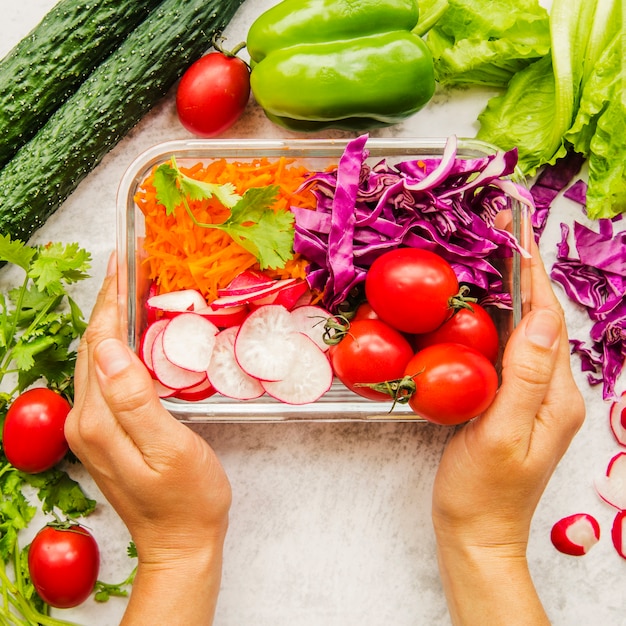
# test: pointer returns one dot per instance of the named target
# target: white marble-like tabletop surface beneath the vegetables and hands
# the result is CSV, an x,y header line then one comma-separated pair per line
x,y
331,523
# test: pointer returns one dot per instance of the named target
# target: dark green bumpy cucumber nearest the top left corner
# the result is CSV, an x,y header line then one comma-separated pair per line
x,y
50,63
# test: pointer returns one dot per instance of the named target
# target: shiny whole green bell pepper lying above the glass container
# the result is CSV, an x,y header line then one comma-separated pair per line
x,y
339,64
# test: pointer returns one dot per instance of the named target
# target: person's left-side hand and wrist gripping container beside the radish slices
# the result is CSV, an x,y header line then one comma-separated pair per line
x,y
163,479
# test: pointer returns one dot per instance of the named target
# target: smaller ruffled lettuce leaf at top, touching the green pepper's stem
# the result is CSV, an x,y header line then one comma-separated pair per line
x,y
487,43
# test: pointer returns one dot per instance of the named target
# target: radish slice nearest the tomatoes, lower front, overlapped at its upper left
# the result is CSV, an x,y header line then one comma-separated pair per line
x,y
309,377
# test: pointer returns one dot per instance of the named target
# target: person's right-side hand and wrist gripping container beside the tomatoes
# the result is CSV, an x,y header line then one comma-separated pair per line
x,y
495,469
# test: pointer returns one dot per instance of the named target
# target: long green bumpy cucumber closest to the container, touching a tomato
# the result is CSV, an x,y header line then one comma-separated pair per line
x,y
117,94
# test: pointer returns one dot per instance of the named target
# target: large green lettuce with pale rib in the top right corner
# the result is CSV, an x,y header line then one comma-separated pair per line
x,y
571,99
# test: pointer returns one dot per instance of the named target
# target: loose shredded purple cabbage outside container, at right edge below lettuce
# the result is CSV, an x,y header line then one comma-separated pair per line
x,y
596,280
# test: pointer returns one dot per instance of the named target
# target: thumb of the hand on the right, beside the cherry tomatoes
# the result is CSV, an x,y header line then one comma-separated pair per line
x,y
529,363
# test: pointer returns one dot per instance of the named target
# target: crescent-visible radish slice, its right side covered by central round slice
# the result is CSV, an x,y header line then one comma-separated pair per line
x,y
224,371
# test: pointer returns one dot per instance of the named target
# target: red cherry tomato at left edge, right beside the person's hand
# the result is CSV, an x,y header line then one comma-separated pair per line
x,y
33,435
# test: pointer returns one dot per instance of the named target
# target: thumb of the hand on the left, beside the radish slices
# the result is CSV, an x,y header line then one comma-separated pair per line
x,y
129,392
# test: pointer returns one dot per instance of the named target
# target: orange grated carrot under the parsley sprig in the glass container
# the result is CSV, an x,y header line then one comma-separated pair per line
x,y
181,255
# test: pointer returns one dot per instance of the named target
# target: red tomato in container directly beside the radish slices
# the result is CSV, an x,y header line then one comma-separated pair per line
x,y
371,352
